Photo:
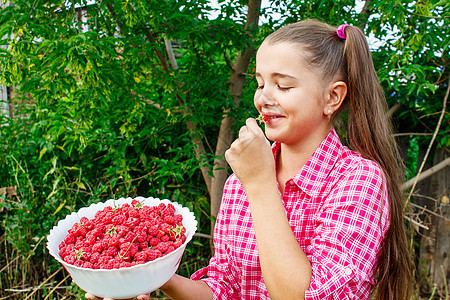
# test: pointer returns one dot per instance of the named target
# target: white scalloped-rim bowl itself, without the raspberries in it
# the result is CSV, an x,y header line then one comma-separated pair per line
x,y
125,282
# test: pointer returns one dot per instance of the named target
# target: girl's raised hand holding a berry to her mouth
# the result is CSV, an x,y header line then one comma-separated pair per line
x,y
250,156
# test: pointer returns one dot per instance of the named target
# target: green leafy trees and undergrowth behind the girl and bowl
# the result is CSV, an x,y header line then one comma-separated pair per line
x,y
107,99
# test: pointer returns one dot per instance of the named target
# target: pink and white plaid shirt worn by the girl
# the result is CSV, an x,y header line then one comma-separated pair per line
x,y
338,211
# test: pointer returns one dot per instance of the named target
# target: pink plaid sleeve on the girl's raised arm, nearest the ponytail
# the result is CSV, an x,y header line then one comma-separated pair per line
x,y
350,227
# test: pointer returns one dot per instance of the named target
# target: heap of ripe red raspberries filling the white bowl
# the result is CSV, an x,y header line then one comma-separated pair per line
x,y
123,236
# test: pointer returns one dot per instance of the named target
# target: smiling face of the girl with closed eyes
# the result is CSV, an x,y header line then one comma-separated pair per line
x,y
291,95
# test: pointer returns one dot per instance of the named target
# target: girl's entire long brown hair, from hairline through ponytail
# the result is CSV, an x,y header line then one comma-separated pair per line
x,y
369,130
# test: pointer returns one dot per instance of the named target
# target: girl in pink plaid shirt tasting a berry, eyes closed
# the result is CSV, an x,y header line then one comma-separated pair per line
x,y
306,217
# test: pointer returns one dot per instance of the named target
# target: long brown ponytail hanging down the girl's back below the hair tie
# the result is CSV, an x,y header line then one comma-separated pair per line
x,y
370,134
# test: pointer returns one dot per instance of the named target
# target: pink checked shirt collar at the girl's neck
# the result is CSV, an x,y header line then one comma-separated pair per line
x,y
312,176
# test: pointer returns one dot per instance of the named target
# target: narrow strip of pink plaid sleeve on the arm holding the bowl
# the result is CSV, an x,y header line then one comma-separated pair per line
x,y
218,271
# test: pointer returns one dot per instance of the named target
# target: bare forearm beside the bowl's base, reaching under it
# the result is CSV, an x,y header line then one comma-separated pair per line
x,y
183,288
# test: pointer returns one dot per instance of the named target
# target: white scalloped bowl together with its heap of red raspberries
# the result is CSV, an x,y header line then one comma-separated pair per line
x,y
125,247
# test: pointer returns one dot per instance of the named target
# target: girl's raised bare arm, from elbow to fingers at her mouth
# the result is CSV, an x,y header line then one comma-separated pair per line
x,y
284,265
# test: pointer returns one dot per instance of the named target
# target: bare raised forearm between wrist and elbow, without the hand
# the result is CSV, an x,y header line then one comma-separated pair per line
x,y
285,267
